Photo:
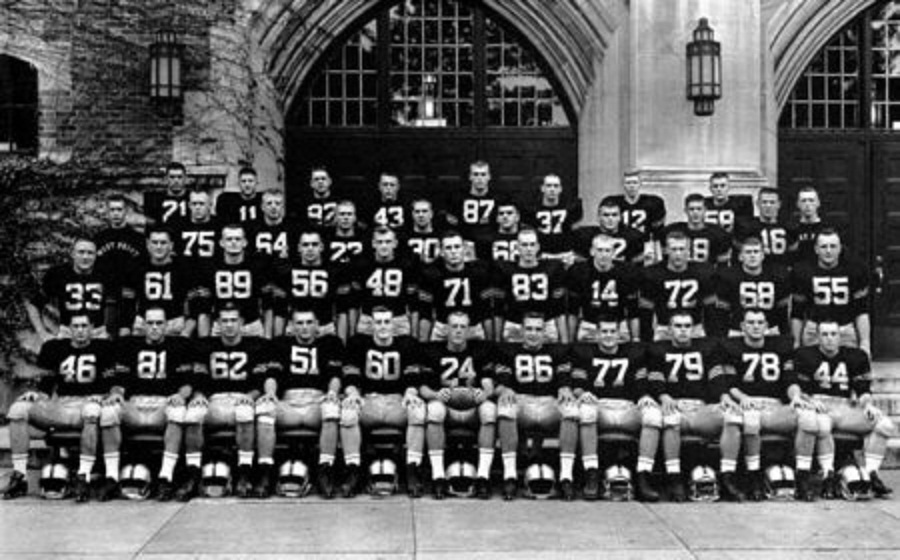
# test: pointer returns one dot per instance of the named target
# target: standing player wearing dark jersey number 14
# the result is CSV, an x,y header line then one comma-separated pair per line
x,y
600,287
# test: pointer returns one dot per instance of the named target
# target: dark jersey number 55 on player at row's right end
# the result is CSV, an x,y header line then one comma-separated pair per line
x,y
840,293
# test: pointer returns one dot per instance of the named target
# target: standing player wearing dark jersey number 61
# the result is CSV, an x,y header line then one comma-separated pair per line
x,y
159,281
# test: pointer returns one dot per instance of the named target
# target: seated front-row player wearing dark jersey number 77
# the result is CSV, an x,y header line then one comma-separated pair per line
x,y
610,382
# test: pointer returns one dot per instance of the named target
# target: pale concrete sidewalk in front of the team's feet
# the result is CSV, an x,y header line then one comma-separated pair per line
x,y
401,528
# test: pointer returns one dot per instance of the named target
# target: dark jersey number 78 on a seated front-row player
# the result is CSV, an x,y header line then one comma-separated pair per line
x,y
766,371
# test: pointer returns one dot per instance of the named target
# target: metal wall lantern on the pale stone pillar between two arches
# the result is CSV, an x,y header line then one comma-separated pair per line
x,y
704,70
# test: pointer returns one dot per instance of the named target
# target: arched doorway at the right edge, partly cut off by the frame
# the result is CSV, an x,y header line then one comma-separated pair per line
x,y
839,131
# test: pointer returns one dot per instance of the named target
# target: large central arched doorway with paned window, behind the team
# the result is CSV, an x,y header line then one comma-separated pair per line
x,y
423,88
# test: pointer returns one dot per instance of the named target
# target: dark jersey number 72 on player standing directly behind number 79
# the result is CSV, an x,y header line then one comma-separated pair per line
x,y
666,291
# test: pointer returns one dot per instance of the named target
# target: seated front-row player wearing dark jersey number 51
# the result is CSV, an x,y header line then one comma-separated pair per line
x,y
306,368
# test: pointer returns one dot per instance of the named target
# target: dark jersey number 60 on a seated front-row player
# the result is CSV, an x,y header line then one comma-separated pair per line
x,y
388,369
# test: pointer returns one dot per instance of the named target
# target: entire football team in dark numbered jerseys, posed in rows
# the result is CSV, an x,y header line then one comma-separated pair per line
x,y
478,315
